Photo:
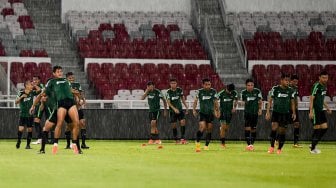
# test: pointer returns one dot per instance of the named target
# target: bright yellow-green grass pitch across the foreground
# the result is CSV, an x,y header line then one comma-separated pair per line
x,y
128,164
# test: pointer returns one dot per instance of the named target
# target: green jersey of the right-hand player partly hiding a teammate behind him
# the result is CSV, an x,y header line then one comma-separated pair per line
x,y
282,99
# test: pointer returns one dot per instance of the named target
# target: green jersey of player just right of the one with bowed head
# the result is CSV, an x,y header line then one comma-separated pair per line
x,y
251,99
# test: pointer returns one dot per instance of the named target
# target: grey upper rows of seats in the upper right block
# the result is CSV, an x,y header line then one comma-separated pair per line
x,y
282,21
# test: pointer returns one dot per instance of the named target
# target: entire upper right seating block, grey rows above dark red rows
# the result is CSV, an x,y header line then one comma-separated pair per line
x,y
287,35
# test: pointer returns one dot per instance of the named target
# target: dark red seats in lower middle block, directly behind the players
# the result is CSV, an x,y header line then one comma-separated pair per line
x,y
108,78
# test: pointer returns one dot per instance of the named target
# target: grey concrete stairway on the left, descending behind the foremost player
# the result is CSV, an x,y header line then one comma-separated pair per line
x,y
46,16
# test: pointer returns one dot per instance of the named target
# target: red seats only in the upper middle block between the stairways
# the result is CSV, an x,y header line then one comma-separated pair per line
x,y
163,45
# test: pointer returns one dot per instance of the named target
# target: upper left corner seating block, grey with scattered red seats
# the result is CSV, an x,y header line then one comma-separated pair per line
x,y
17,33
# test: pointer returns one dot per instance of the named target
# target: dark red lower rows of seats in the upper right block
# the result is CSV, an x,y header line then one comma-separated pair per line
x,y
272,46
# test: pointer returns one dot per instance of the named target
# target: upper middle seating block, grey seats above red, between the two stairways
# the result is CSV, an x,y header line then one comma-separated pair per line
x,y
150,35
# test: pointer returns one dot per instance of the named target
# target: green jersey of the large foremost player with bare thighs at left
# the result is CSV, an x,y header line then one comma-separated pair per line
x,y
61,88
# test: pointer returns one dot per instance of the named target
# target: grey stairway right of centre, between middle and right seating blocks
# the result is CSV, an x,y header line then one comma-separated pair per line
x,y
229,66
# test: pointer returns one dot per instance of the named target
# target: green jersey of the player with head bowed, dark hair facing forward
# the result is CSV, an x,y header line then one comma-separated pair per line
x,y
226,100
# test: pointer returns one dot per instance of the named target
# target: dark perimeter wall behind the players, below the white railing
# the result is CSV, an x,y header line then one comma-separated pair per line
x,y
134,124
